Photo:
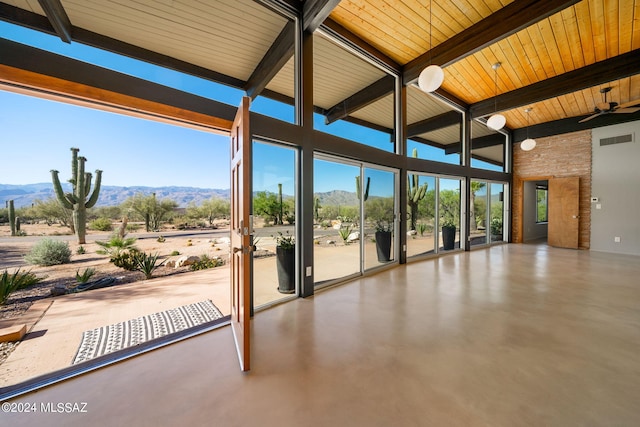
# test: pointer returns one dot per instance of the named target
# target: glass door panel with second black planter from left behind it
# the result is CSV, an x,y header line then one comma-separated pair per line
x,y
378,195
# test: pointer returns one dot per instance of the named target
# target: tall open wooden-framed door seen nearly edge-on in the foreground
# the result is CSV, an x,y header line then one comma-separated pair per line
x,y
241,229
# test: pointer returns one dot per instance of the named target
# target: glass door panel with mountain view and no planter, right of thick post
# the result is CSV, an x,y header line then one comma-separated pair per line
x,y
337,220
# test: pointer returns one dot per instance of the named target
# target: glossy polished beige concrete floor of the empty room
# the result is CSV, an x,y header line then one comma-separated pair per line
x,y
514,335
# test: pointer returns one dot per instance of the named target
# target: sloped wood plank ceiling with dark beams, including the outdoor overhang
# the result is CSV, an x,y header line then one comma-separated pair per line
x,y
555,55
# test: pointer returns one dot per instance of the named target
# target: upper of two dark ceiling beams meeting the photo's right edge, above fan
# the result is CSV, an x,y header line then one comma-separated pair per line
x,y
615,68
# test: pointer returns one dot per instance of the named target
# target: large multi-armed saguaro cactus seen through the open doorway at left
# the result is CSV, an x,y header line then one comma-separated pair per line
x,y
77,200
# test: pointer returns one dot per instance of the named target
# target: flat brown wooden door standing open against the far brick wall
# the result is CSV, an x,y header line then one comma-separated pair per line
x,y
564,212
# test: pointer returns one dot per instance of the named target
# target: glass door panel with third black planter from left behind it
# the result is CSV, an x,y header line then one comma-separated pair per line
x,y
449,219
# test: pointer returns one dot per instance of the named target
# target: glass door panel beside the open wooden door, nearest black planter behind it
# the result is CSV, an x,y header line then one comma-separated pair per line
x,y
274,209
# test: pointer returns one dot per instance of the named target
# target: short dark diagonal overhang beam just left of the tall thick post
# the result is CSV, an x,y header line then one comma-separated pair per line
x,y
276,57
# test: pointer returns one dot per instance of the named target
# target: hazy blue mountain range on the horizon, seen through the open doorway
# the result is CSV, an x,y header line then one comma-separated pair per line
x,y
25,195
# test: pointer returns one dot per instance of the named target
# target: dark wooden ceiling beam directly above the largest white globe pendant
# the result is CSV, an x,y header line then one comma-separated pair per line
x,y
512,18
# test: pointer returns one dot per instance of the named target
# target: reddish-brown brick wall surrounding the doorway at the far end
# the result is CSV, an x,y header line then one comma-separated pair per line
x,y
555,157
